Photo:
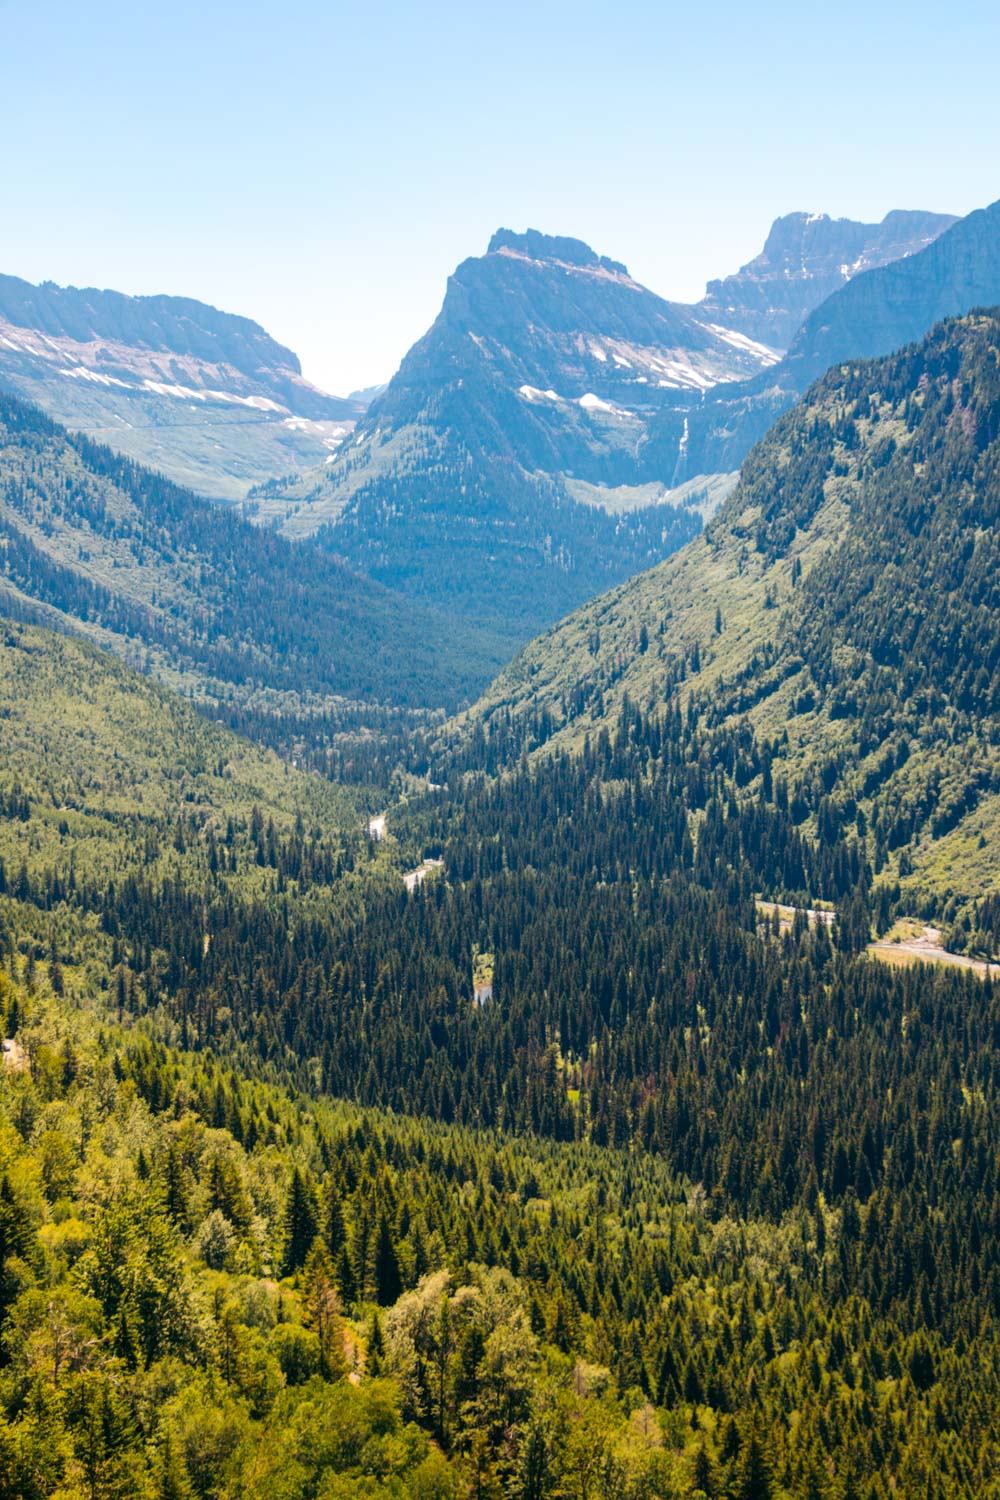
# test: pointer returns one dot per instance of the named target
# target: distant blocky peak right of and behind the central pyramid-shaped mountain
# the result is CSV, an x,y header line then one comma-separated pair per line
x,y
806,259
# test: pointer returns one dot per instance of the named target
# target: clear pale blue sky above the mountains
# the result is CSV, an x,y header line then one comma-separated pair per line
x,y
322,167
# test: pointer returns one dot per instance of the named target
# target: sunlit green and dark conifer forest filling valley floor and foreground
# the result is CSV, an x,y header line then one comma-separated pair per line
x,y
687,1205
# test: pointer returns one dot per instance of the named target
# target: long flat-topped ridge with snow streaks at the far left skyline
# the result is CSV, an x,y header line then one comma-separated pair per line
x,y
206,397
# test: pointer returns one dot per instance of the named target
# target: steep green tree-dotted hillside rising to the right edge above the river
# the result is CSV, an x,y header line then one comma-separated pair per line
x,y
840,616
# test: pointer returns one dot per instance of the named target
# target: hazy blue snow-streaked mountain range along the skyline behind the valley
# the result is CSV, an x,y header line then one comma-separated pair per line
x,y
557,430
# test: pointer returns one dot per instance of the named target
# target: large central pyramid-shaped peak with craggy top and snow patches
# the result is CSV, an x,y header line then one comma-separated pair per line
x,y
499,472
